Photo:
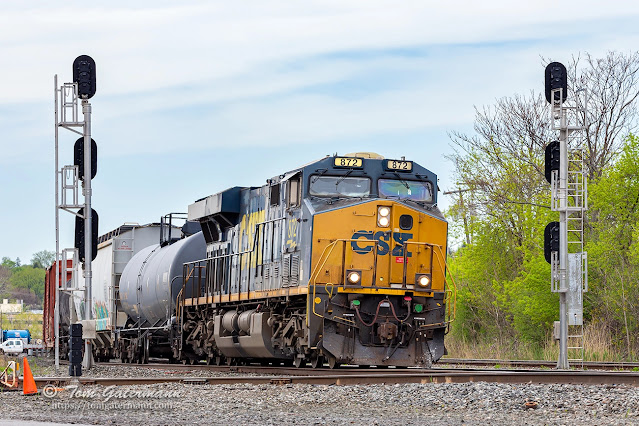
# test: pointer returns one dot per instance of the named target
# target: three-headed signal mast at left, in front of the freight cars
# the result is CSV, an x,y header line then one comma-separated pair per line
x,y
68,97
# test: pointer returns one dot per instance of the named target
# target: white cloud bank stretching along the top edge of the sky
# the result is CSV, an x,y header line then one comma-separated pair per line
x,y
140,49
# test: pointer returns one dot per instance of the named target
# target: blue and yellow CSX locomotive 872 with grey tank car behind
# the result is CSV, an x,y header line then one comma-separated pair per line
x,y
342,260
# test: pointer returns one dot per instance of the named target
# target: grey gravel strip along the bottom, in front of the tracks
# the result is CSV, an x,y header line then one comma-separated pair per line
x,y
468,403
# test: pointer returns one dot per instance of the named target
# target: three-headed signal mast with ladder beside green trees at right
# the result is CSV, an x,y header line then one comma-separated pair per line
x,y
564,240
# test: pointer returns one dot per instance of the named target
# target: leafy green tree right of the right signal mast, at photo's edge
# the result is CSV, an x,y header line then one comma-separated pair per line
x,y
613,249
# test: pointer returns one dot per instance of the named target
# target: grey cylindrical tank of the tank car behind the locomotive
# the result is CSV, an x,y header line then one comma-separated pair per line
x,y
152,279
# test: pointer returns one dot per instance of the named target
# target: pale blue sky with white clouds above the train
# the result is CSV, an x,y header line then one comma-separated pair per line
x,y
194,97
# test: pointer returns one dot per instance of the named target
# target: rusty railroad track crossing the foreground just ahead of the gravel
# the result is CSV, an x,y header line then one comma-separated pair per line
x,y
351,375
